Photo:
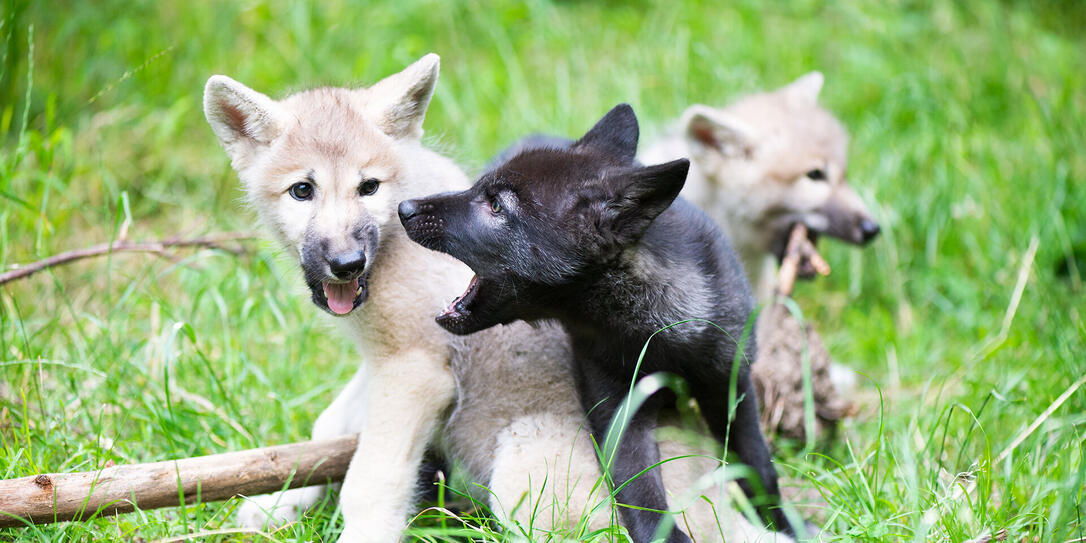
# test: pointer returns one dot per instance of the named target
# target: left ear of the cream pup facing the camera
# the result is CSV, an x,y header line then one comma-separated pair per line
x,y
244,120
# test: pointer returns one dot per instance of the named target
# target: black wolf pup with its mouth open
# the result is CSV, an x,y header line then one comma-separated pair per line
x,y
585,235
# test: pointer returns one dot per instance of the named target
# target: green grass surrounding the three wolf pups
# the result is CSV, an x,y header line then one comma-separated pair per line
x,y
969,130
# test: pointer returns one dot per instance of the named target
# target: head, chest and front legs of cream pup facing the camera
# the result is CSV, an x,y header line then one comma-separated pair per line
x,y
325,171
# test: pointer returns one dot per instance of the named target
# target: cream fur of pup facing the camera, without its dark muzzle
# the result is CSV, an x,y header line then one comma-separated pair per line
x,y
500,403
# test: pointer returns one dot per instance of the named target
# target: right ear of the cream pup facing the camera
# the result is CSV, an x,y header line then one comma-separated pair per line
x,y
398,104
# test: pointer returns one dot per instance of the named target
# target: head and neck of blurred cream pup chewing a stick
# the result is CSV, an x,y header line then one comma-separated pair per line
x,y
765,163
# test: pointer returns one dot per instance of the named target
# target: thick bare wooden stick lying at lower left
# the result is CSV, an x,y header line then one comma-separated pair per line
x,y
55,498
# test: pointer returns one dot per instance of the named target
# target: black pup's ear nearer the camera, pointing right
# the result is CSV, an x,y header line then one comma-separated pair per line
x,y
641,196
